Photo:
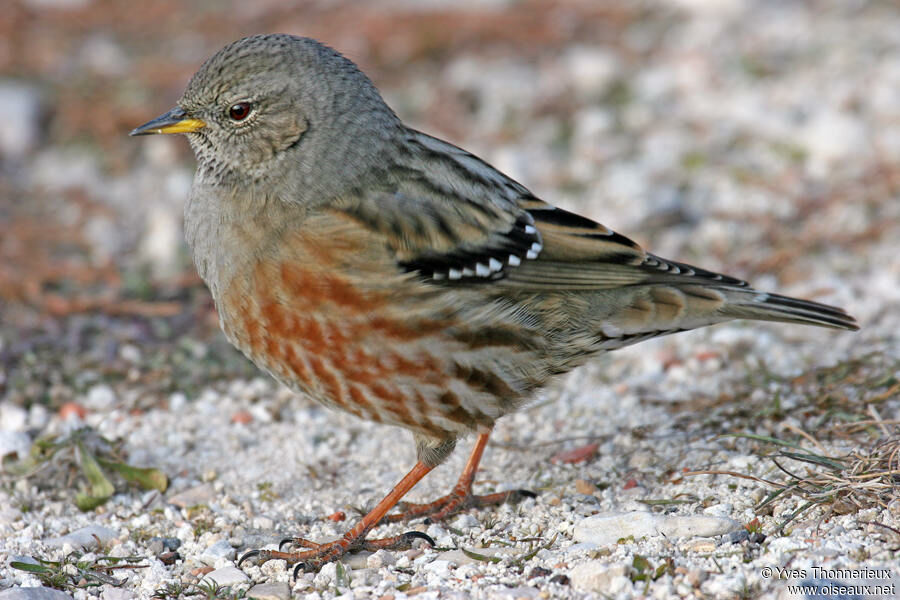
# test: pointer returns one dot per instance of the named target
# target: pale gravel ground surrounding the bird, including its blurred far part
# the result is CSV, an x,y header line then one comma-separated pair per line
x,y
757,138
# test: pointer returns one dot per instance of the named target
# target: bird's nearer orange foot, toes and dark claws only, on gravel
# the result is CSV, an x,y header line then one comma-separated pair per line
x,y
317,555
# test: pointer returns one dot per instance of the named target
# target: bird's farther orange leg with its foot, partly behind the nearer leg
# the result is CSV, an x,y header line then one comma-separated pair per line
x,y
461,497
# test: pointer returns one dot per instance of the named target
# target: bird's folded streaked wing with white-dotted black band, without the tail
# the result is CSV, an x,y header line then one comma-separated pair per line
x,y
452,218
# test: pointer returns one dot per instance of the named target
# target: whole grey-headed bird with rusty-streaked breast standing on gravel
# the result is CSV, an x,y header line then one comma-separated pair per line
x,y
392,275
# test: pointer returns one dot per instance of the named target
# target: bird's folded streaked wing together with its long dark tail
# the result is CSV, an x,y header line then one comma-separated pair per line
x,y
456,221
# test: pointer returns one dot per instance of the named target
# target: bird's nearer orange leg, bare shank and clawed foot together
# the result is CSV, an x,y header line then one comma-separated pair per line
x,y
317,555
